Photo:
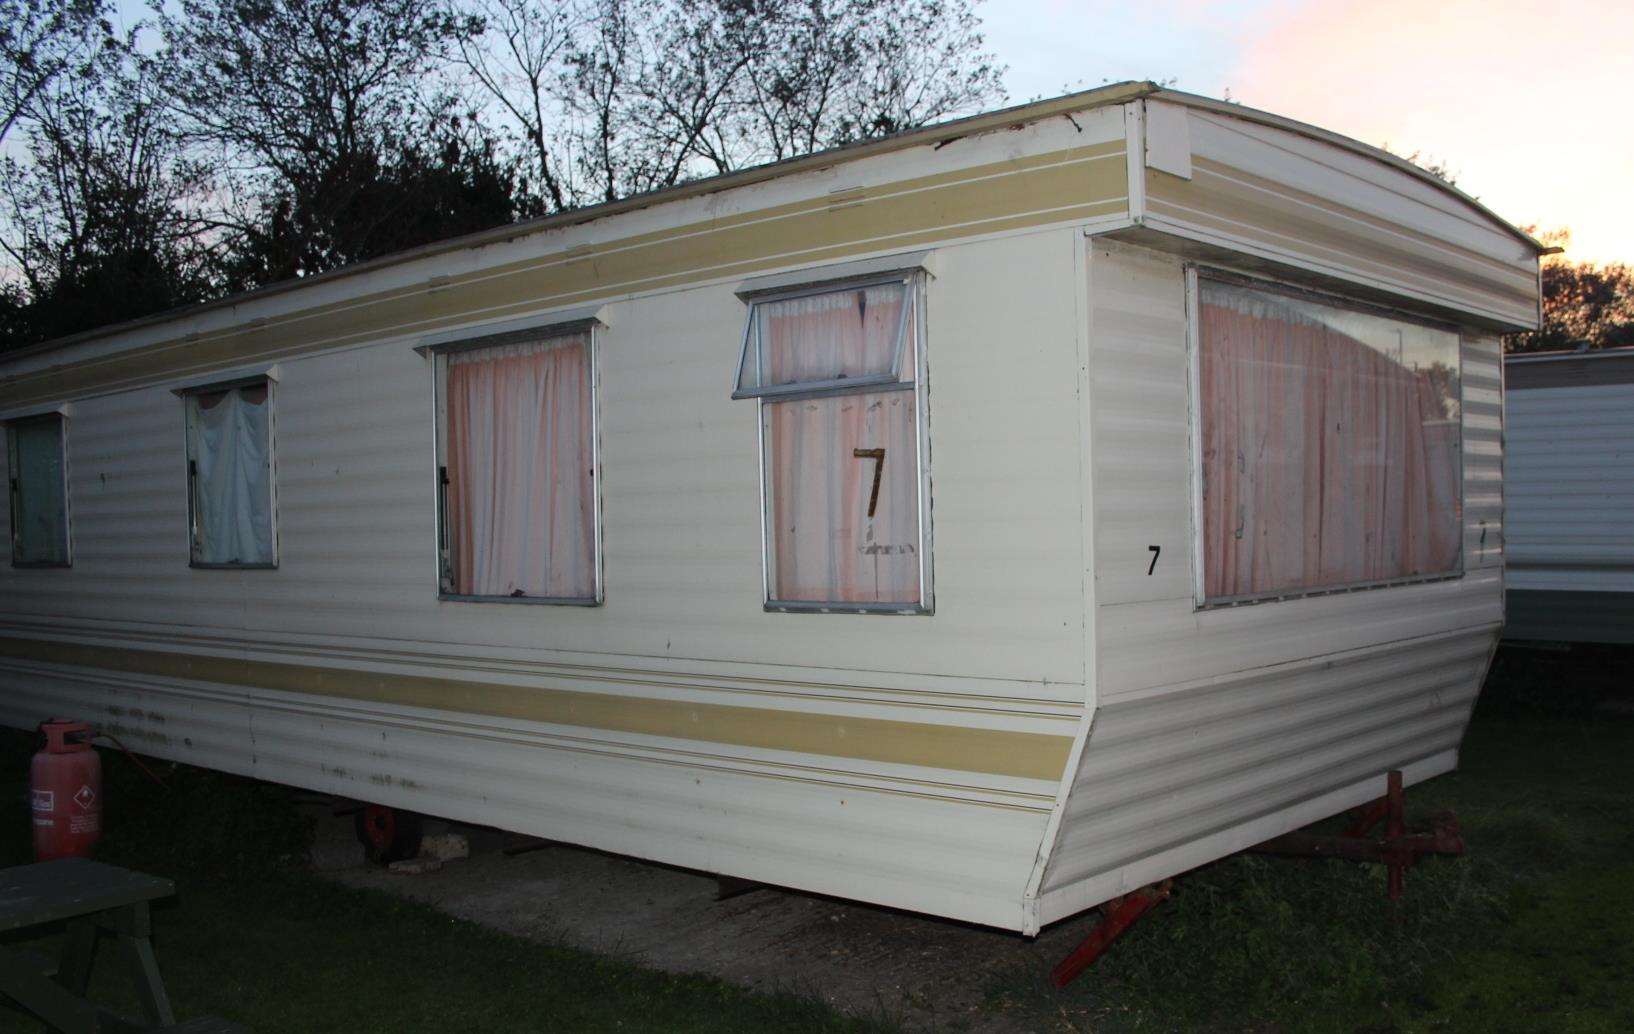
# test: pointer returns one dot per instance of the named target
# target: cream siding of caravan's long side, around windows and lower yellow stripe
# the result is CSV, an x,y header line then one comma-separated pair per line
x,y
684,623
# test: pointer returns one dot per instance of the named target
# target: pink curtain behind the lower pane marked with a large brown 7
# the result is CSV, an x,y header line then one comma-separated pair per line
x,y
826,545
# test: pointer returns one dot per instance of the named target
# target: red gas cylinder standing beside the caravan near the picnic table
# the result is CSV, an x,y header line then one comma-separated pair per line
x,y
66,791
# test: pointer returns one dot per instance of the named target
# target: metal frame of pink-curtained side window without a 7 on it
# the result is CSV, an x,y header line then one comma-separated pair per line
x,y
439,355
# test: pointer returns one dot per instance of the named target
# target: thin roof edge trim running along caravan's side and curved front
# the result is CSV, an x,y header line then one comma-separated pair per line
x,y
942,133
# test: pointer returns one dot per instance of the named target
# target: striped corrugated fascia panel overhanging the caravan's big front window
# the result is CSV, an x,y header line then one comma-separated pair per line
x,y
1316,207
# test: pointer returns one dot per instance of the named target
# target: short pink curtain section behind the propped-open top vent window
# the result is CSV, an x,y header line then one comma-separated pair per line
x,y
821,337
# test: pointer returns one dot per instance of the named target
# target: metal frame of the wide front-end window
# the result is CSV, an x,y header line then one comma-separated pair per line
x,y
1195,274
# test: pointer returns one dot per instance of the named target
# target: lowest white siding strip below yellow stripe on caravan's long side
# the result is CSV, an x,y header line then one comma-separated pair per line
x,y
949,853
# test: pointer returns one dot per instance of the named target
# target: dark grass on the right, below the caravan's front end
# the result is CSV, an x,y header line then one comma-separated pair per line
x,y
1532,930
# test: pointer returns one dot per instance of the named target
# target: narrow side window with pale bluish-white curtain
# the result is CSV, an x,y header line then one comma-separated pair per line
x,y
231,475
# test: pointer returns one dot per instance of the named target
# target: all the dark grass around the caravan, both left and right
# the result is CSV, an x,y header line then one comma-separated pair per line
x,y
1532,930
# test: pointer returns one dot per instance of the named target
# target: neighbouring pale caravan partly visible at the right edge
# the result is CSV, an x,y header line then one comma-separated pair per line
x,y
1569,488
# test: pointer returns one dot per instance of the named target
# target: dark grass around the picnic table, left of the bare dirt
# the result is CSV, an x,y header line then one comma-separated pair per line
x,y
254,938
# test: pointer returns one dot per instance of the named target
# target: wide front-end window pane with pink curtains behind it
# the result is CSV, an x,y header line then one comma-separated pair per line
x,y
1329,445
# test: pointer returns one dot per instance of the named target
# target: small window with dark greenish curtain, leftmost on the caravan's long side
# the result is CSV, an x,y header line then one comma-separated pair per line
x,y
38,491
